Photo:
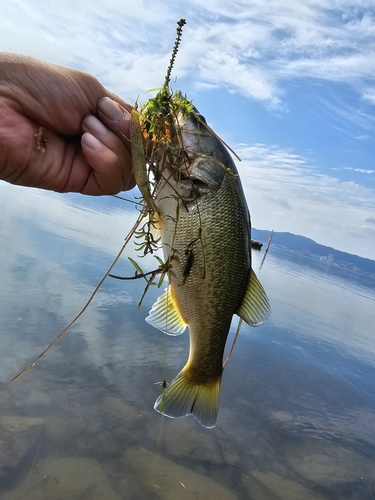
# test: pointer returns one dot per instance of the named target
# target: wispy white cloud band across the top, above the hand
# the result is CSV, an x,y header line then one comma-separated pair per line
x,y
247,46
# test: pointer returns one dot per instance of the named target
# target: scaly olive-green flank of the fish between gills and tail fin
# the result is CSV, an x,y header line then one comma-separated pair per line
x,y
213,302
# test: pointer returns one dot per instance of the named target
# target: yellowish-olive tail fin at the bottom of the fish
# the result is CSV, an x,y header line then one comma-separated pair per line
x,y
186,397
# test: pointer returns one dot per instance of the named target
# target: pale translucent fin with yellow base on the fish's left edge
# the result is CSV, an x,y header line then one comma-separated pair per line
x,y
165,314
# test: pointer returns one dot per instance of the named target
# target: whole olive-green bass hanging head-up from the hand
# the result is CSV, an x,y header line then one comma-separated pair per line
x,y
205,228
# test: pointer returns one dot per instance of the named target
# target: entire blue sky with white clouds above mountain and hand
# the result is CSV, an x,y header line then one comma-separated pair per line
x,y
288,84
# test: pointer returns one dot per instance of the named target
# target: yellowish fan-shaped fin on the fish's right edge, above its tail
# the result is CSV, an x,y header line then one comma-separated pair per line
x,y
255,308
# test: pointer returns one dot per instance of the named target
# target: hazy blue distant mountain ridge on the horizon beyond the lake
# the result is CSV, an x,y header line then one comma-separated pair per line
x,y
308,247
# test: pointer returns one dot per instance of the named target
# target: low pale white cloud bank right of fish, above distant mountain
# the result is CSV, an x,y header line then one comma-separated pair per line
x,y
323,208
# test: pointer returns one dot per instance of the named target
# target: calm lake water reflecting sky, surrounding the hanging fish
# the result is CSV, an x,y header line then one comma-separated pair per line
x,y
297,411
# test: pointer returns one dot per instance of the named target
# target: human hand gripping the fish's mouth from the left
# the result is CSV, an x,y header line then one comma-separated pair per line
x,y
60,129
